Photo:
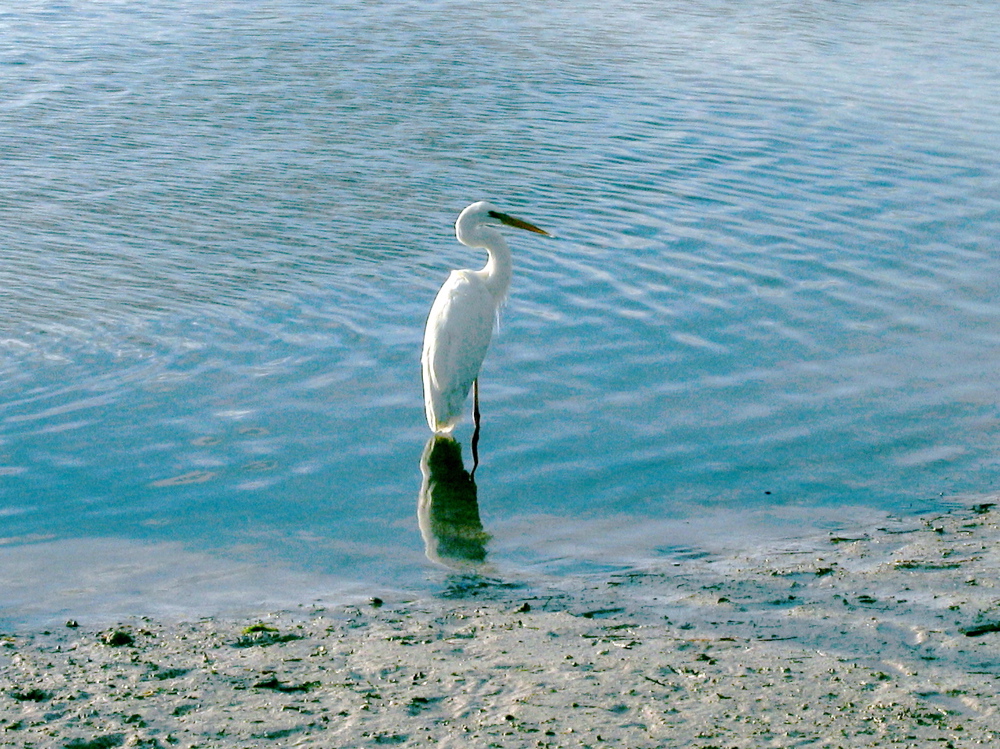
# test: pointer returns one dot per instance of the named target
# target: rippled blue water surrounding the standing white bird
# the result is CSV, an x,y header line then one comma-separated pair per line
x,y
775,286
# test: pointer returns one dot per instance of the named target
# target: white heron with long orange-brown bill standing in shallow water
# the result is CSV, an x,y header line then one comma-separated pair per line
x,y
462,318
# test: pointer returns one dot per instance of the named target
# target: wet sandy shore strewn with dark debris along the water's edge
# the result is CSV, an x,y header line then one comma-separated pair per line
x,y
884,637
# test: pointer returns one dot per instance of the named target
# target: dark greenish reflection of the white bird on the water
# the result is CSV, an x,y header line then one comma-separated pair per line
x,y
448,510
